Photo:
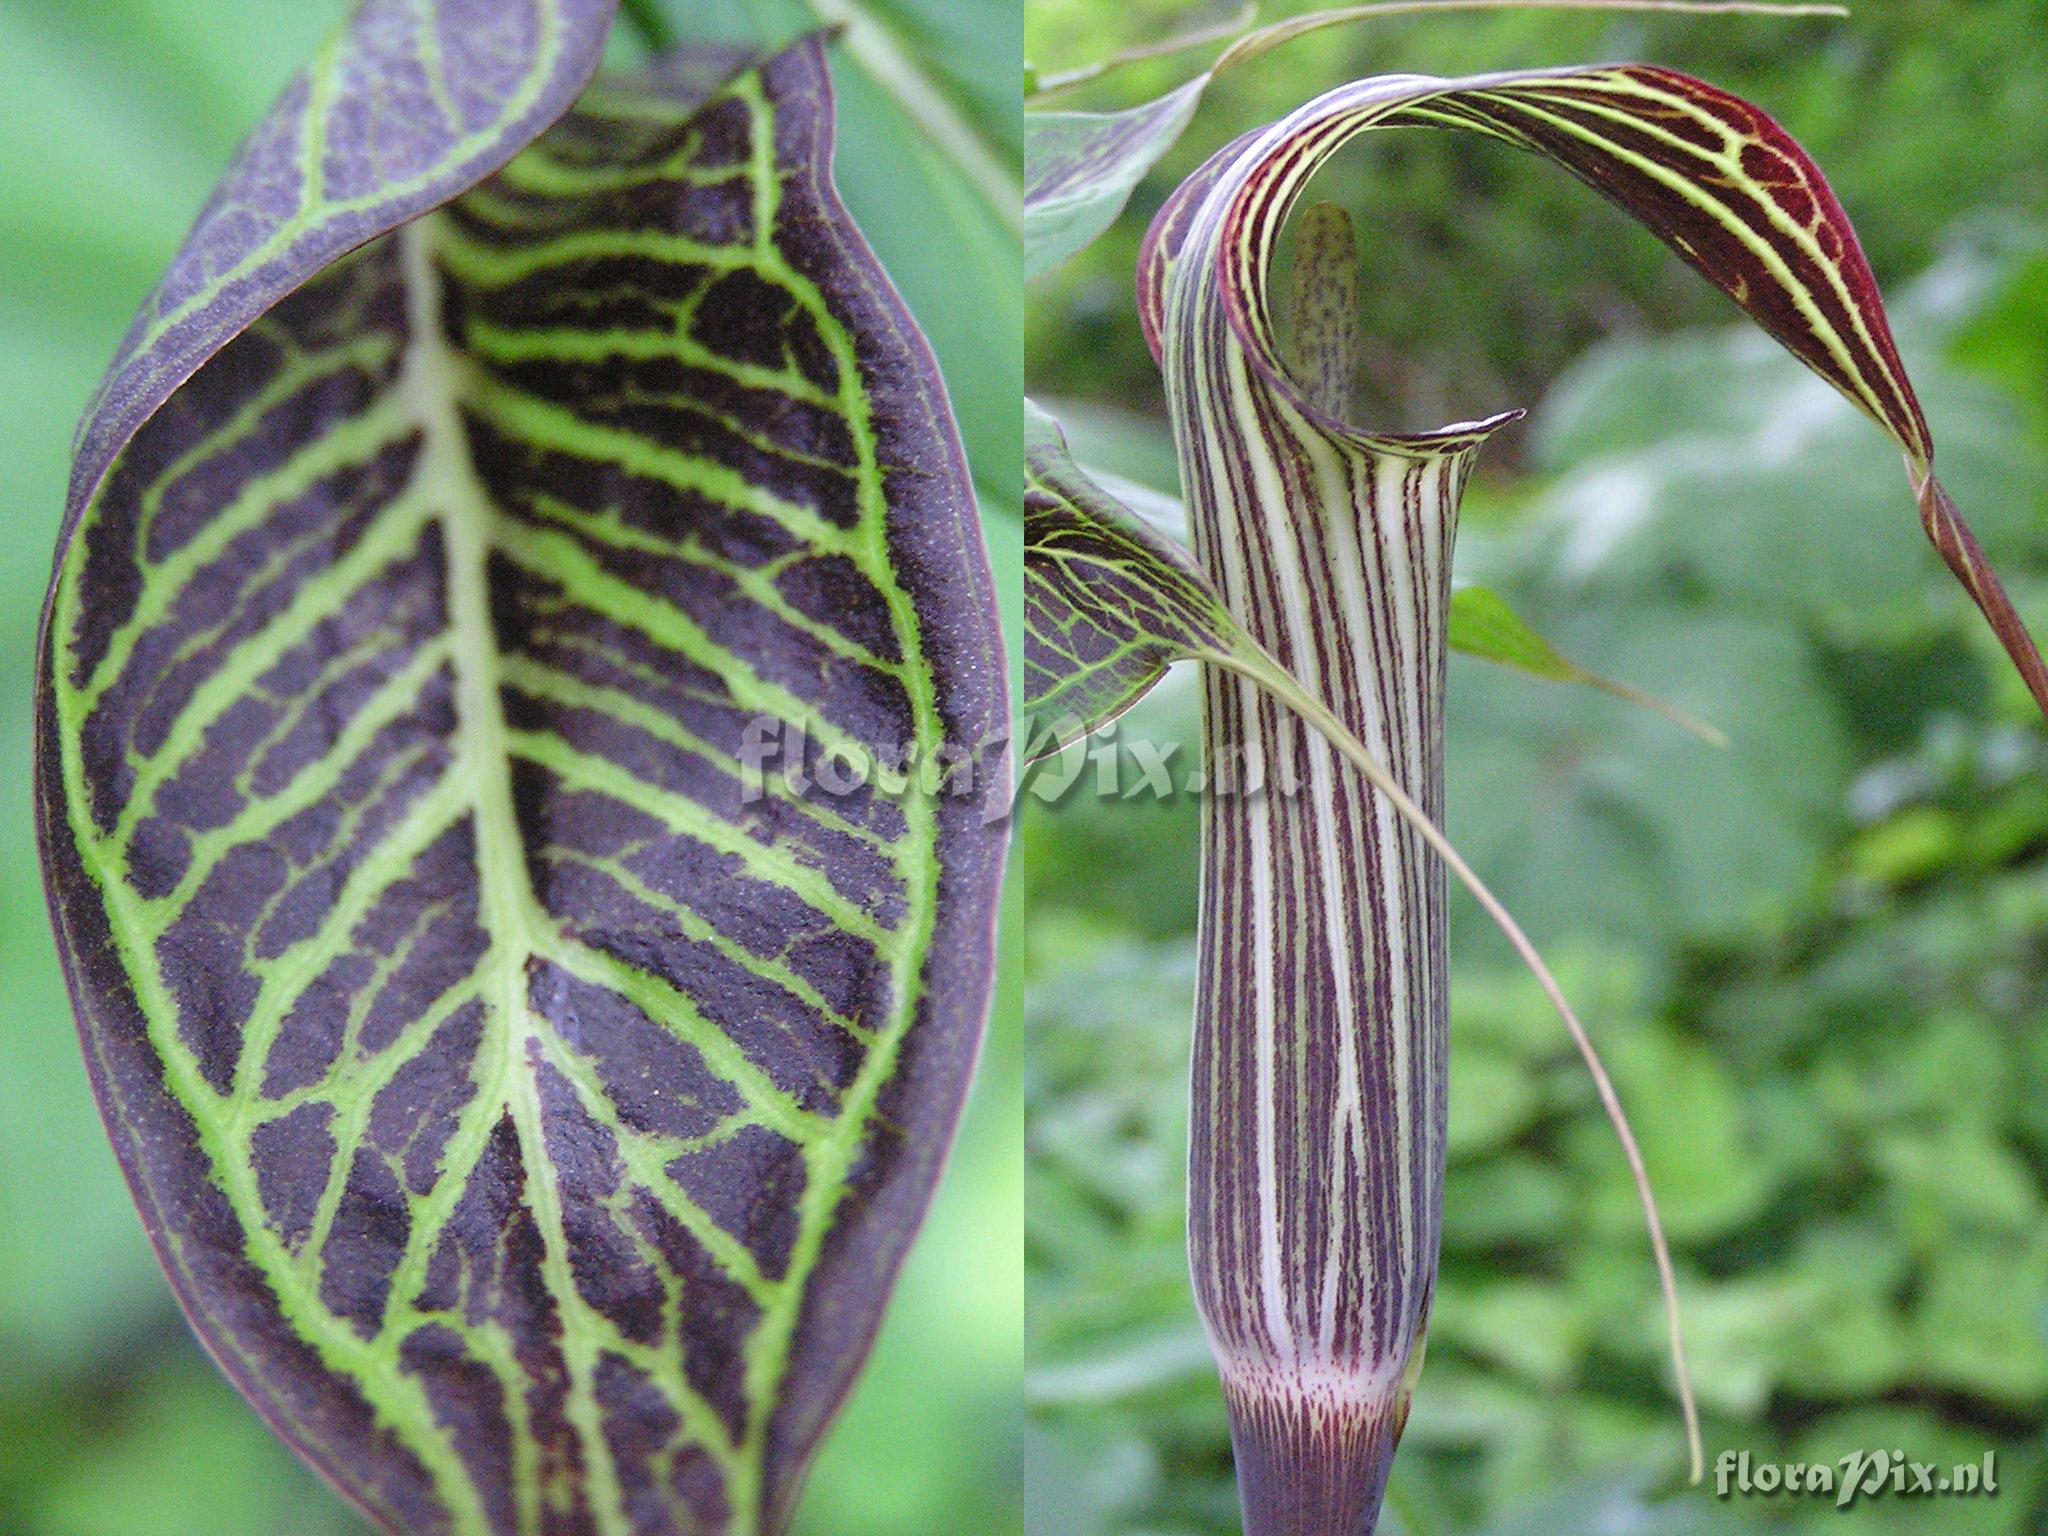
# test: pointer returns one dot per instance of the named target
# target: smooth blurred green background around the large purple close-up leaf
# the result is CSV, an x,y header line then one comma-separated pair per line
x,y
120,118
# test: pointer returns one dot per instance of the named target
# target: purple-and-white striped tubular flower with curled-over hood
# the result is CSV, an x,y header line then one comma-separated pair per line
x,y
1318,1140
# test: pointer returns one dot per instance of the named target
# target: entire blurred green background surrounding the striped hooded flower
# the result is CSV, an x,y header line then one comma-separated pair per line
x,y
1818,962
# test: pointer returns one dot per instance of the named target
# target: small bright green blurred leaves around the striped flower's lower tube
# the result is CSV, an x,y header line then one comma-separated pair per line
x,y
1846,1142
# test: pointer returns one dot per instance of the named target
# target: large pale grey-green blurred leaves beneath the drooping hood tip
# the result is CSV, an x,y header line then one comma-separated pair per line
x,y
1736,566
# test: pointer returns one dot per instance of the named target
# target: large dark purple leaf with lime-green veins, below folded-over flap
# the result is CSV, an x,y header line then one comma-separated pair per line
x,y
529,1068
